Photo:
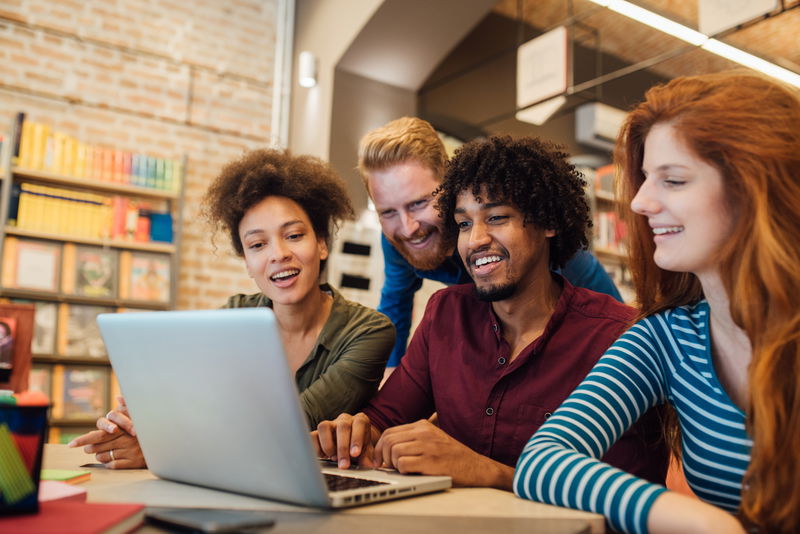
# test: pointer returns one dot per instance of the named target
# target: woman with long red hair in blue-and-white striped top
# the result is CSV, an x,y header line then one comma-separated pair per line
x,y
710,167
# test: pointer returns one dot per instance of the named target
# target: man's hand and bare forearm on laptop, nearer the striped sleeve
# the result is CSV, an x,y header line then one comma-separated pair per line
x,y
426,449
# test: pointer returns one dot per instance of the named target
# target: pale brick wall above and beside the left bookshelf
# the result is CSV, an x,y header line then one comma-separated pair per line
x,y
162,77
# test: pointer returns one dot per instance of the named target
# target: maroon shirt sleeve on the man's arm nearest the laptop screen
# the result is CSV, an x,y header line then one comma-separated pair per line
x,y
407,395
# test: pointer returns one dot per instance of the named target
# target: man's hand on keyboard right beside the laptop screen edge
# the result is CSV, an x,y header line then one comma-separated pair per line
x,y
347,436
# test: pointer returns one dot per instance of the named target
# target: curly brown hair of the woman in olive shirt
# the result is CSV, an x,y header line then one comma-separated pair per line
x,y
259,174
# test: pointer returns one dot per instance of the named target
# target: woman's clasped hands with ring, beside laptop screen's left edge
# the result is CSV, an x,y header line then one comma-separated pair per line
x,y
114,443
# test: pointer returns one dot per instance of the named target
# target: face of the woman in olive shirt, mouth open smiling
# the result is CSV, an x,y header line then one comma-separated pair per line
x,y
281,250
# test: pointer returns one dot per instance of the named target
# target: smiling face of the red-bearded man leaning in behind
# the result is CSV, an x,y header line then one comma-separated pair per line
x,y
402,195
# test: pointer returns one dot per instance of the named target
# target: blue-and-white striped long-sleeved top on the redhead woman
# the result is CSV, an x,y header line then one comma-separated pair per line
x,y
663,358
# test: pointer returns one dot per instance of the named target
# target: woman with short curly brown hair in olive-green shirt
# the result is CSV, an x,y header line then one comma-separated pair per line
x,y
278,211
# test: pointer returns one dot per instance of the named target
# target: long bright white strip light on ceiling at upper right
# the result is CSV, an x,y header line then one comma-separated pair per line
x,y
699,39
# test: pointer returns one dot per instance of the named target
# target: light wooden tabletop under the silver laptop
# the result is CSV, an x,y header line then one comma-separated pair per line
x,y
461,510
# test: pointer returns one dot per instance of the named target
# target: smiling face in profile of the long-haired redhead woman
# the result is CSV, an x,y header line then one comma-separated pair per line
x,y
683,198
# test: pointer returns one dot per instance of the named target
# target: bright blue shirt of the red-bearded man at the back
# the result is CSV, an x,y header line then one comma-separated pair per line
x,y
401,281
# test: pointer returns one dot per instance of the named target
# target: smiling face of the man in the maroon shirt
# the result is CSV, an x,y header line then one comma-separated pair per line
x,y
501,252
